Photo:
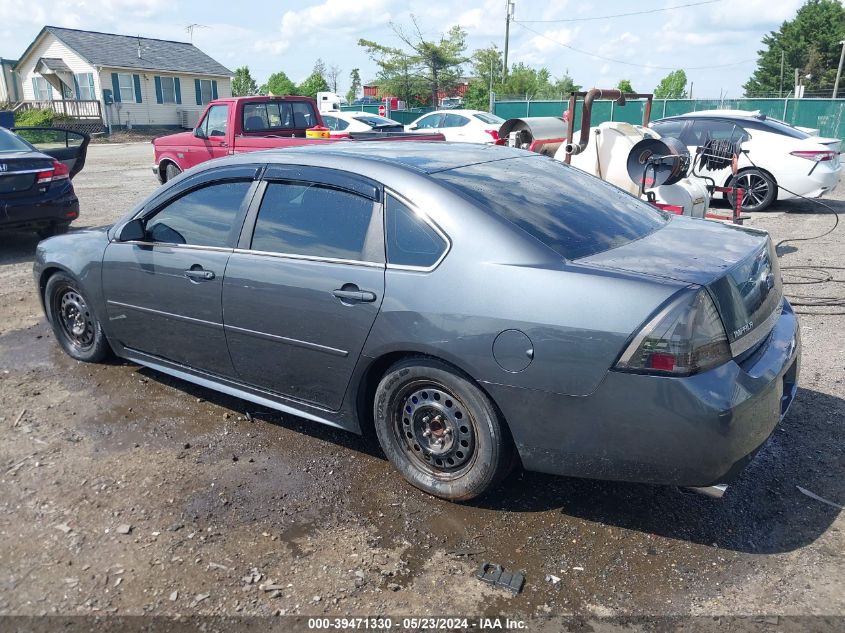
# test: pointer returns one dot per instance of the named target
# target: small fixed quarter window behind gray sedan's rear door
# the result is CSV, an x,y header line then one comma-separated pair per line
x,y
411,241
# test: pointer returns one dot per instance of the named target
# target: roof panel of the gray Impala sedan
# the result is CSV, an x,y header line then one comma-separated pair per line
x,y
420,156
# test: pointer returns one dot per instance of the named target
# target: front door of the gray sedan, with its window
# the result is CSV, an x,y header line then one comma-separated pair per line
x,y
163,292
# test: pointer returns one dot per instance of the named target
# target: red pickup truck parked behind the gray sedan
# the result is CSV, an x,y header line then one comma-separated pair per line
x,y
249,124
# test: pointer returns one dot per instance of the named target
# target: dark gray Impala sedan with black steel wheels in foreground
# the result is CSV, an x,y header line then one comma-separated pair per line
x,y
476,305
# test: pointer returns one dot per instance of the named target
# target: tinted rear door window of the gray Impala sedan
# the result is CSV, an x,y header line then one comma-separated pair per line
x,y
298,218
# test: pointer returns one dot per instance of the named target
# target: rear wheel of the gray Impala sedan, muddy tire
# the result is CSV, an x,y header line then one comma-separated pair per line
x,y
440,430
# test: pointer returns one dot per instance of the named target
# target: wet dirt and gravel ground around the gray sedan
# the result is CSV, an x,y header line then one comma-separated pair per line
x,y
123,491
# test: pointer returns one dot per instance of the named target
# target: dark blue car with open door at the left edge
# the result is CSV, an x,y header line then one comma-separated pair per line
x,y
36,192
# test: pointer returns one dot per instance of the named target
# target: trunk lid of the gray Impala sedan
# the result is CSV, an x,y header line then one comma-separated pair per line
x,y
738,266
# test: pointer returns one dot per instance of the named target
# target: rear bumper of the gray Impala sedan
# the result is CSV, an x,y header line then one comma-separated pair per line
x,y
695,431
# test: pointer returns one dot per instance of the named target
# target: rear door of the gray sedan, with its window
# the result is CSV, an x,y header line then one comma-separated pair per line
x,y
306,283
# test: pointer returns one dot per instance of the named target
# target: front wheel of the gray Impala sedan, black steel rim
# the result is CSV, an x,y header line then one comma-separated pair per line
x,y
74,323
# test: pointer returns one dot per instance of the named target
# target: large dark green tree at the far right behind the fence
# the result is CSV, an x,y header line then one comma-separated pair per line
x,y
809,42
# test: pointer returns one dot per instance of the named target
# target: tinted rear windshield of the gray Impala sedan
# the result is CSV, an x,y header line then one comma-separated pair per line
x,y
569,211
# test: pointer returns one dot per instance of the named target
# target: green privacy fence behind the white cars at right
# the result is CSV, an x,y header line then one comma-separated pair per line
x,y
824,114
